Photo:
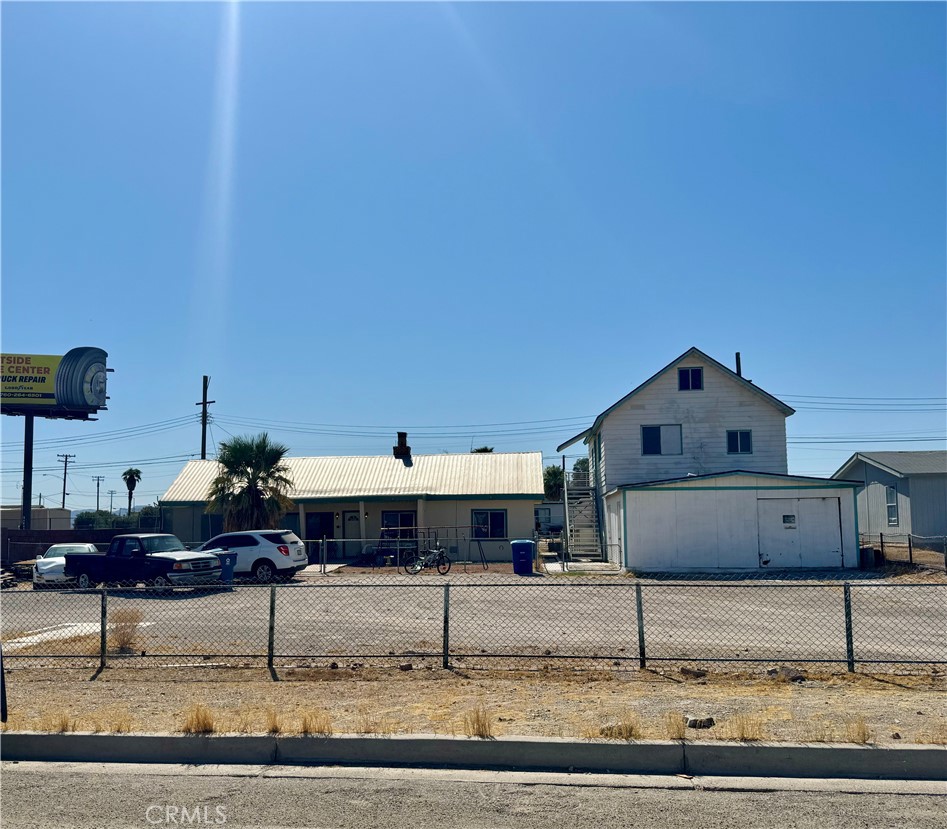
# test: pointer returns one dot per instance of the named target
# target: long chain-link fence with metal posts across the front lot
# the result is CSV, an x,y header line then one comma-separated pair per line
x,y
503,624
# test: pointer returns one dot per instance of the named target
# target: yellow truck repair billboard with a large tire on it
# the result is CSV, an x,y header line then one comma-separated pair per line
x,y
71,386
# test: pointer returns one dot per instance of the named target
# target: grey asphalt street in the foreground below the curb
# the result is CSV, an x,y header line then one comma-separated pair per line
x,y
80,796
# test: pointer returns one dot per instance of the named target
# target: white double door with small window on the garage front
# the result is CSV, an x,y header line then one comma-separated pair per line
x,y
799,532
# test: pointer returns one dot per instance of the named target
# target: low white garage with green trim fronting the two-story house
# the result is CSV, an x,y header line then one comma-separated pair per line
x,y
735,521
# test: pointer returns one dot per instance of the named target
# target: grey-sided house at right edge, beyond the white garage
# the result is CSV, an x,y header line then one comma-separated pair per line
x,y
901,493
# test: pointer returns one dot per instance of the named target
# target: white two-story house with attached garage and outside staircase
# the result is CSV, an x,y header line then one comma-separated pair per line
x,y
688,471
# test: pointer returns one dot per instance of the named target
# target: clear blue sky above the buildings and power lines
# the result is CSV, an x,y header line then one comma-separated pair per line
x,y
363,218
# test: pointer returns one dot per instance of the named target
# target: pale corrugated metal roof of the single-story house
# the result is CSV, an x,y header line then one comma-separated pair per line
x,y
487,474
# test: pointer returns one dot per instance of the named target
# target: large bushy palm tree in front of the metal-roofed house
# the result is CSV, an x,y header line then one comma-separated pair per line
x,y
250,488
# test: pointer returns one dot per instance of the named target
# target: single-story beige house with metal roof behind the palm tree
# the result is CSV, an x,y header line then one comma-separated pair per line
x,y
470,500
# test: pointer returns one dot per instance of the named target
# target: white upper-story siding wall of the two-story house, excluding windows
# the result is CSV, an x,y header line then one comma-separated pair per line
x,y
705,417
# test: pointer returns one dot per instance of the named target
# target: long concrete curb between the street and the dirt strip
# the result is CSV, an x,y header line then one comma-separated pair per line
x,y
915,762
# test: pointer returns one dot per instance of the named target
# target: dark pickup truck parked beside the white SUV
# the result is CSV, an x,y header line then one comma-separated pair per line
x,y
156,559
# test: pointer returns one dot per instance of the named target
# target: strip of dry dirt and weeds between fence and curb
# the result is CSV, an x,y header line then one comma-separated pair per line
x,y
882,709
